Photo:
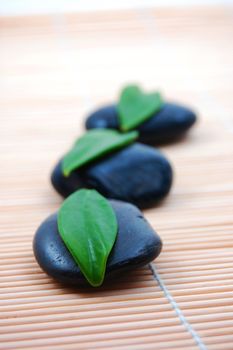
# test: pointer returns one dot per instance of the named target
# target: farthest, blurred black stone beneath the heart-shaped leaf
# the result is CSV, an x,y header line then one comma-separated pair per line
x,y
168,125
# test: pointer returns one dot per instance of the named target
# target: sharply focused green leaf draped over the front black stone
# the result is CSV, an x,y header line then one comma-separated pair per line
x,y
88,227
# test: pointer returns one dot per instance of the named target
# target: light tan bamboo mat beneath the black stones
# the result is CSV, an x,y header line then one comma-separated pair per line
x,y
53,71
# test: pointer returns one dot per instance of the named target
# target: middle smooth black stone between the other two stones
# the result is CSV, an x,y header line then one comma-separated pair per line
x,y
138,174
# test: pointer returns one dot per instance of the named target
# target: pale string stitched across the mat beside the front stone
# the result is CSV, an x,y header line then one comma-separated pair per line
x,y
178,311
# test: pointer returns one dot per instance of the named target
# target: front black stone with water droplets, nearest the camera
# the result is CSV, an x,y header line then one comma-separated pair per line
x,y
137,244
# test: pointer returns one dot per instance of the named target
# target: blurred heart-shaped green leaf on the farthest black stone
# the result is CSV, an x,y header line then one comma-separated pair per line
x,y
135,107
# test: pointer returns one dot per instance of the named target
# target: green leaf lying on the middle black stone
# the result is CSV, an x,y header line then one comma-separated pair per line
x,y
93,145
